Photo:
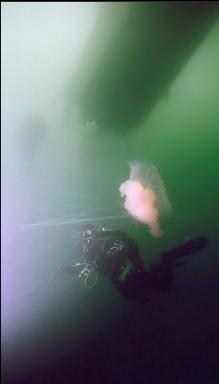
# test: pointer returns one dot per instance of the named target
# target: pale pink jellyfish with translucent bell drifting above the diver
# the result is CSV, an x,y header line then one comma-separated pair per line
x,y
145,196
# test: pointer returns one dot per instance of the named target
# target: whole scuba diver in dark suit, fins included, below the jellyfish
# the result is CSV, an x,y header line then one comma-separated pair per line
x,y
115,255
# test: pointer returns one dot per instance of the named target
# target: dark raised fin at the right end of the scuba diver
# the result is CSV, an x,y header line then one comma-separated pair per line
x,y
185,249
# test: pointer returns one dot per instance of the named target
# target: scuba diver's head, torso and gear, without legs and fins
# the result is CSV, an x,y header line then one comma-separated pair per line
x,y
107,252
